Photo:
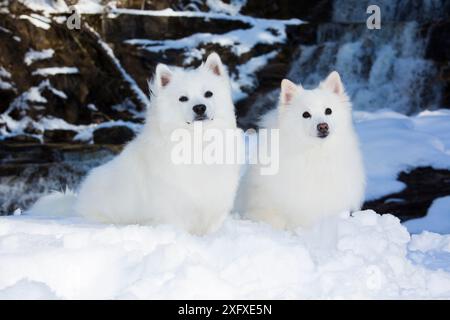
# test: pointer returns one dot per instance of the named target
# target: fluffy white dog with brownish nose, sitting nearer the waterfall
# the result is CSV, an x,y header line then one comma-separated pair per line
x,y
321,170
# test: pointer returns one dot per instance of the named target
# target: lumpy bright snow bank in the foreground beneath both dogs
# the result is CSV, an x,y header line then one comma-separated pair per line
x,y
364,256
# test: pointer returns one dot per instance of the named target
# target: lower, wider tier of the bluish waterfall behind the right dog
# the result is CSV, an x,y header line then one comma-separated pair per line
x,y
381,68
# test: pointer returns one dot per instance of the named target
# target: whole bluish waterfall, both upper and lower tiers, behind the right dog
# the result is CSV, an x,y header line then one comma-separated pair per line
x,y
385,68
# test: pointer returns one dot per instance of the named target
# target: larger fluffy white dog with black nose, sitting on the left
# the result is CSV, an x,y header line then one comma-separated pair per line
x,y
143,185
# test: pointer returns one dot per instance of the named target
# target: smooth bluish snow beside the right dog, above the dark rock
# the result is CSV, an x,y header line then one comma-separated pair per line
x,y
392,142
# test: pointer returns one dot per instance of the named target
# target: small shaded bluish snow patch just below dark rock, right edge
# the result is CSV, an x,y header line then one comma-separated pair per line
x,y
437,219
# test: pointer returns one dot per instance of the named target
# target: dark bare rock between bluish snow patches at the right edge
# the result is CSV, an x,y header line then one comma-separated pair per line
x,y
423,185
